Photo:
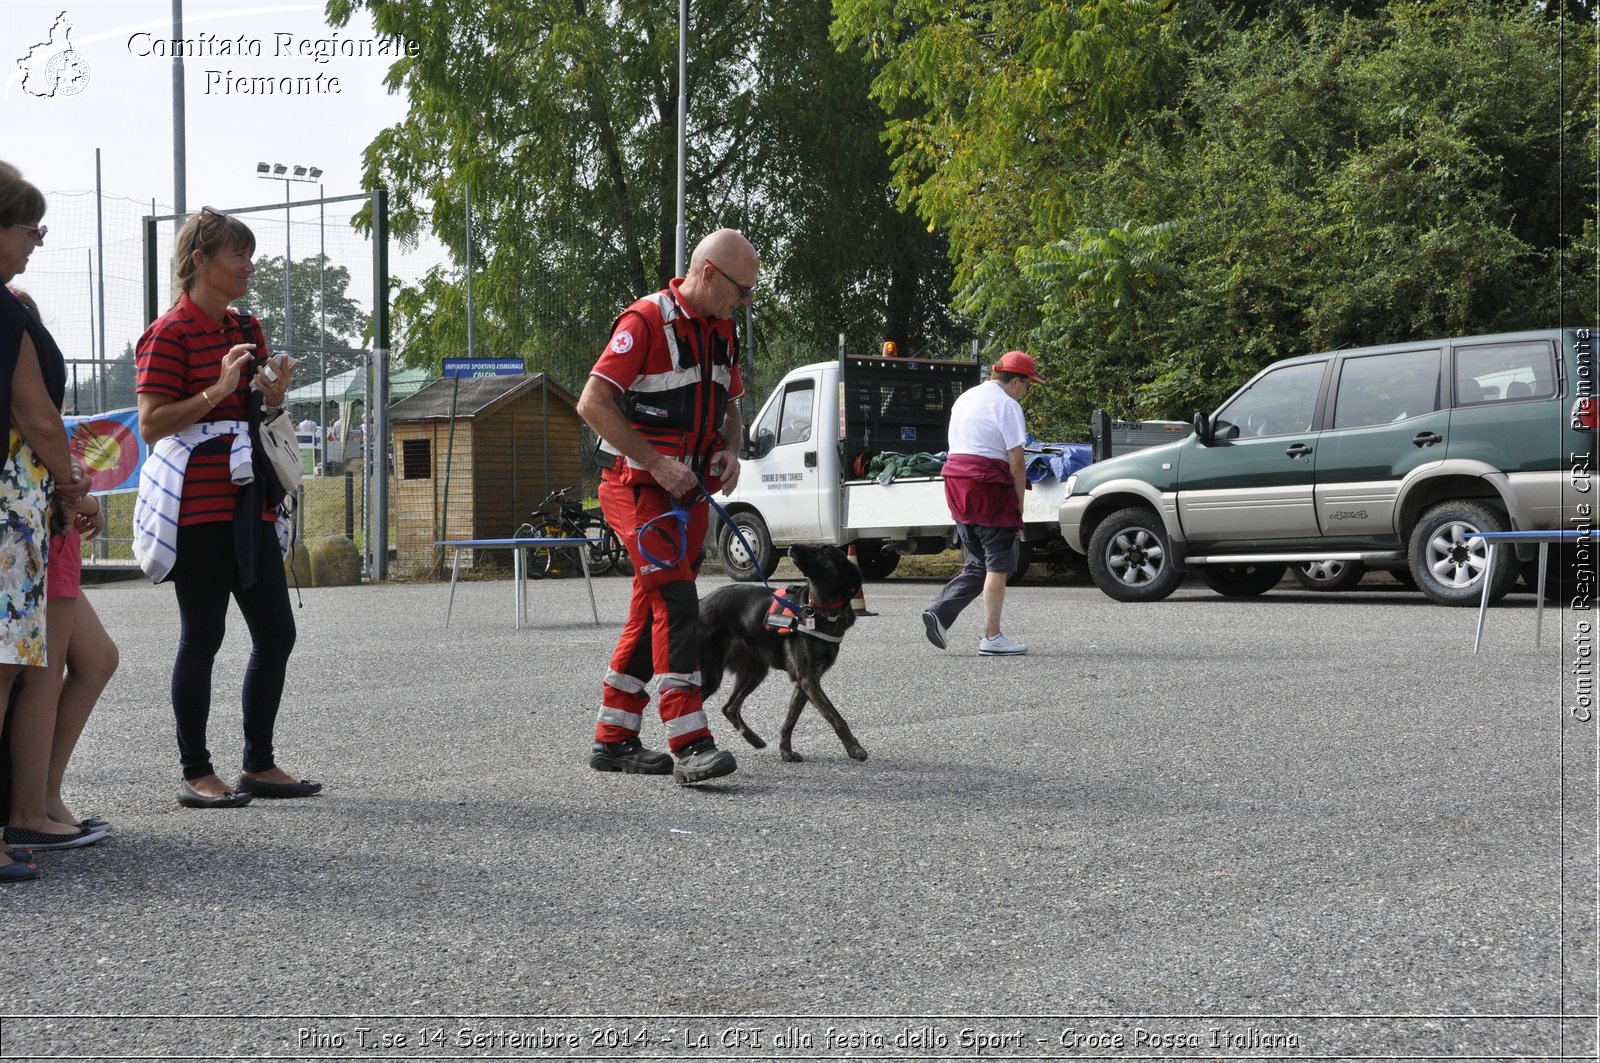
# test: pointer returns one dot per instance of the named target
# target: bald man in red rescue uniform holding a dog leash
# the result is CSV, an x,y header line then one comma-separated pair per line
x,y
663,401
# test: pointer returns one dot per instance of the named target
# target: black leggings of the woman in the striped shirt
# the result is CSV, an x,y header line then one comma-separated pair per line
x,y
204,577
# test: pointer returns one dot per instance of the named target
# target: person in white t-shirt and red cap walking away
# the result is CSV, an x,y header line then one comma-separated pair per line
x,y
985,479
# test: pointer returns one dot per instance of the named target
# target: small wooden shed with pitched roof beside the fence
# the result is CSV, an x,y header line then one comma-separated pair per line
x,y
516,439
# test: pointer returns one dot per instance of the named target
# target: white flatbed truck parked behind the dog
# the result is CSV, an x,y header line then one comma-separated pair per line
x,y
806,462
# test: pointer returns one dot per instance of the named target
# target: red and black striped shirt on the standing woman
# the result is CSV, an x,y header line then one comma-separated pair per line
x,y
180,356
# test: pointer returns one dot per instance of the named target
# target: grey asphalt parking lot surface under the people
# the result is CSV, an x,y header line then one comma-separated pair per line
x,y
1290,827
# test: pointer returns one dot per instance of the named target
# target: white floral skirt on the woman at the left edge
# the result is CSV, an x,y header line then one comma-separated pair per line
x,y
25,500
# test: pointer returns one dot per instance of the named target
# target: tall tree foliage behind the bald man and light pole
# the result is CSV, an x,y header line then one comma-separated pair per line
x,y
559,121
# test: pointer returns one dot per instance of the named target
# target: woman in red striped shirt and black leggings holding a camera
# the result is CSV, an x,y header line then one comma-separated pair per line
x,y
204,377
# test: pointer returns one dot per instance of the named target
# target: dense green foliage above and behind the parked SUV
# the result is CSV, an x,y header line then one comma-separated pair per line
x,y
1162,198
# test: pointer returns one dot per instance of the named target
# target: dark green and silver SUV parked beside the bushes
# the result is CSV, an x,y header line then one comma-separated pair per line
x,y
1391,457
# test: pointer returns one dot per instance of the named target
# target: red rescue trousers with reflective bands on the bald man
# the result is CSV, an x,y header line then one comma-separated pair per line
x,y
662,636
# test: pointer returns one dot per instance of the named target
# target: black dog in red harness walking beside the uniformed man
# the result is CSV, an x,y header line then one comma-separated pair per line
x,y
738,636
